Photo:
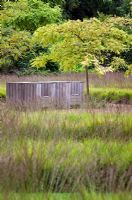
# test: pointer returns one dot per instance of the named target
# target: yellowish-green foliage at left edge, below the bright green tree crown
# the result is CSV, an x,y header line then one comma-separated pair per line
x,y
13,45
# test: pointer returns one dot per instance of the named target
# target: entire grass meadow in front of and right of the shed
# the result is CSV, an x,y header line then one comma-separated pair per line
x,y
67,154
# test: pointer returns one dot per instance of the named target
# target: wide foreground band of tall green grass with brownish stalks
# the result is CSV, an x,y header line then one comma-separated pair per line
x,y
66,166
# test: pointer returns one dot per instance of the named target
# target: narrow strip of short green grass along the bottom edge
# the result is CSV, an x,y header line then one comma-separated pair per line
x,y
86,196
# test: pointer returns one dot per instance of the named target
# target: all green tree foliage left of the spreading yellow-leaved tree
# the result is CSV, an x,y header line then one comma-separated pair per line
x,y
16,49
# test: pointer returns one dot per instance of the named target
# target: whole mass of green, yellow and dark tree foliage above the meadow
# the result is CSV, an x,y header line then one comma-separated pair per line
x,y
65,32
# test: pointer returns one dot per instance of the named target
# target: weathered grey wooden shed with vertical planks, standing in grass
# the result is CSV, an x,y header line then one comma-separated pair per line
x,y
60,94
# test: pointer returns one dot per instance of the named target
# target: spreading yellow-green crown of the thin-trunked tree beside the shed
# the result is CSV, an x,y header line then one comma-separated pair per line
x,y
81,42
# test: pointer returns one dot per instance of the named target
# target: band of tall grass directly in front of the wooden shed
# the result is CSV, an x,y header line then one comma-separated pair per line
x,y
76,125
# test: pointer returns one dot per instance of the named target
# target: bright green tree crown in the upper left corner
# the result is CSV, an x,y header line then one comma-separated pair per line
x,y
29,14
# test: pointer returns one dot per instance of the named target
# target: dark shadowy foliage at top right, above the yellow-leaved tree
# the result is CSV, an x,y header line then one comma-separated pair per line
x,y
79,9
